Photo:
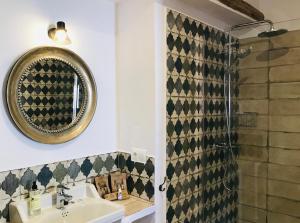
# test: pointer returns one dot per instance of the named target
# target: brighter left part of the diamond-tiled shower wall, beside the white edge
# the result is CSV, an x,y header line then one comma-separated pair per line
x,y
184,118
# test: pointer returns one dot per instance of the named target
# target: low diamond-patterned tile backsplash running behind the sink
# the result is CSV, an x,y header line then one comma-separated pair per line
x,y
14,184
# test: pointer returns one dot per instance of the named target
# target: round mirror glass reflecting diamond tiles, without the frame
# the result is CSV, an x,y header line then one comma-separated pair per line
x,y
51,94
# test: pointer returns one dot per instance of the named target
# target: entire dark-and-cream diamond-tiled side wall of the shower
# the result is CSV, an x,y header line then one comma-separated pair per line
x,y
196,65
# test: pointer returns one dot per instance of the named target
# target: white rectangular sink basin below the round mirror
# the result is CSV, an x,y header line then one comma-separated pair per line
x,y
86,207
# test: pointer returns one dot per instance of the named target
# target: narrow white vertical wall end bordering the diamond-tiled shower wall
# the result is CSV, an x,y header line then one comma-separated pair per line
x,y
161,101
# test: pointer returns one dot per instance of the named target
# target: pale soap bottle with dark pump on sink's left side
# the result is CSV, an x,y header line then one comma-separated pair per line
x,y
34,200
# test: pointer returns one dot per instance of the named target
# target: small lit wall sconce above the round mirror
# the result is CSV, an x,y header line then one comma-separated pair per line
x,y
59,33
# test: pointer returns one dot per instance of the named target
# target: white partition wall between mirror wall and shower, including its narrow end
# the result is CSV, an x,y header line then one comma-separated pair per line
x,y
141,84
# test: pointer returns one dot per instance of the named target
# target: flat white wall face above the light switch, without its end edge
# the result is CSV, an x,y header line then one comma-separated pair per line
x,y
135,74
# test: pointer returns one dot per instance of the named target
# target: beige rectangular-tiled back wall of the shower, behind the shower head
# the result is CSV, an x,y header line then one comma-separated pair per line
x,y
269,157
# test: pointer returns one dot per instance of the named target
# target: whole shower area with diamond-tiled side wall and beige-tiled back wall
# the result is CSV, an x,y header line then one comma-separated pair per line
x,y
233,123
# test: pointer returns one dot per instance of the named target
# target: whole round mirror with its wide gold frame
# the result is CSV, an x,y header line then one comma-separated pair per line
x,y
51,95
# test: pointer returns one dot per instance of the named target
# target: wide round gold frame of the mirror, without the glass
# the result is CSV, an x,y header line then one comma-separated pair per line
x,y
89,102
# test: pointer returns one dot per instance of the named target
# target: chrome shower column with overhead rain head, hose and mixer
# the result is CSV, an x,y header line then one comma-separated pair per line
x,y
234,54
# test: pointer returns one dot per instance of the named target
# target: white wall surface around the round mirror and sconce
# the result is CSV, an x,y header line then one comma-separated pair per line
x,y
91,28
